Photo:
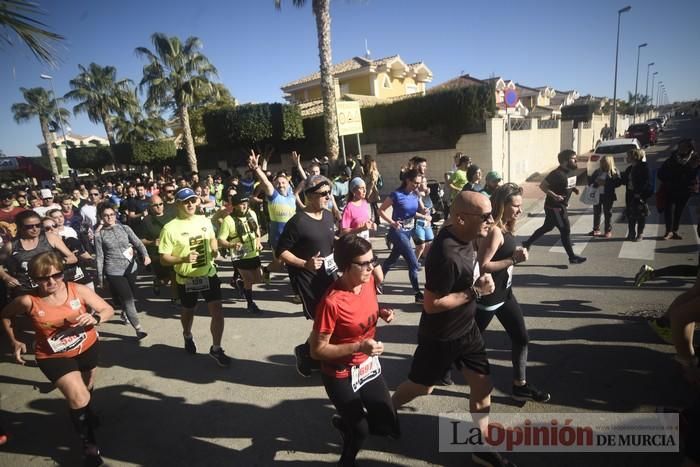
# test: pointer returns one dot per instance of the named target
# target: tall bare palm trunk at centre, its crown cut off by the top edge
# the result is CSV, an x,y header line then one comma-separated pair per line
x,y
322,13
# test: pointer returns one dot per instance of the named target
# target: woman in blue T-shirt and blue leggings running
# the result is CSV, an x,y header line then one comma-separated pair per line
x,y
405,205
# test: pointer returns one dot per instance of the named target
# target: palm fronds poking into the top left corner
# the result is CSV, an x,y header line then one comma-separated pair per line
x,y
16,16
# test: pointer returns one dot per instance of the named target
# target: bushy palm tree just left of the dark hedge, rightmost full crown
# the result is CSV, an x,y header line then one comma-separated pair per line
x,y
176,75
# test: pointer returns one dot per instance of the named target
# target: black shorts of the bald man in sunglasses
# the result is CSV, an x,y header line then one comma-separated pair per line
x,y
433,358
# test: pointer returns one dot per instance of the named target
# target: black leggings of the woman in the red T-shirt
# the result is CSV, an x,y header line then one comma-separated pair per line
x,y
379,419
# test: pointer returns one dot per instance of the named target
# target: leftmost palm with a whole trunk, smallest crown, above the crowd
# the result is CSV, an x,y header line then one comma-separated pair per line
x,y
42,104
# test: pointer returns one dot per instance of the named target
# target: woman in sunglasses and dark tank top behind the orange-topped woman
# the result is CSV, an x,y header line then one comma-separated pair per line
x,y
31,240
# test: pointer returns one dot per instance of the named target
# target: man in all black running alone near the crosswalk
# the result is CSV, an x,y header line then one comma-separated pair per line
x,y
558,186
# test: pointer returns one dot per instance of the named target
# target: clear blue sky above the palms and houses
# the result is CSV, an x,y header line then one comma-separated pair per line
x,y
565,44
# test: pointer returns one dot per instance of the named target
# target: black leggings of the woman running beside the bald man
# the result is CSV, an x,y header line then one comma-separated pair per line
x,y
511,317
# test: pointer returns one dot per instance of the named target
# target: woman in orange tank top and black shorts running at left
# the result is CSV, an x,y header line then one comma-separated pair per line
x,y
66,340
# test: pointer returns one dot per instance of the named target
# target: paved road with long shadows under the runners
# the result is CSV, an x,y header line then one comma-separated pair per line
x,y
590,347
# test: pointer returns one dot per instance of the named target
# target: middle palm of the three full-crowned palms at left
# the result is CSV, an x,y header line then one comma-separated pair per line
x,y
99,94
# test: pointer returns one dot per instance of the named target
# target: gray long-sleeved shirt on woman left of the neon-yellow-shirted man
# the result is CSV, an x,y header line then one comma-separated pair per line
x,y
114,247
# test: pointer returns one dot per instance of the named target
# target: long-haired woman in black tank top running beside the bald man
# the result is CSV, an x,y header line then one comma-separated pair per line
x,y
498,255
